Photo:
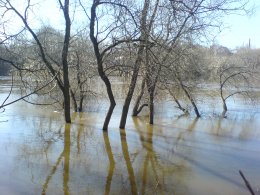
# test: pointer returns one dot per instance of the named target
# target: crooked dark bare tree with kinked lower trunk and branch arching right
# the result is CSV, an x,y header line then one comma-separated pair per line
x,y
101,50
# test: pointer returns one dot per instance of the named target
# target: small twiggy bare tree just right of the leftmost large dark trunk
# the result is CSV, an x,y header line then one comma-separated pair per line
x,y
82,70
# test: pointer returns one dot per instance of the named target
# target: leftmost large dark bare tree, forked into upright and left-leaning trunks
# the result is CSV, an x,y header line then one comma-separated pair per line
x,y
63,82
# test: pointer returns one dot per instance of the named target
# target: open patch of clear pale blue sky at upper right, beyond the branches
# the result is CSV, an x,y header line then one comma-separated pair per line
x,y
240,29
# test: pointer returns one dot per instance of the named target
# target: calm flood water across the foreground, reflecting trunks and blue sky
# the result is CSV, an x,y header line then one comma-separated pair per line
x,y
39,154
